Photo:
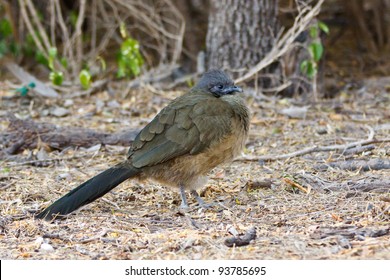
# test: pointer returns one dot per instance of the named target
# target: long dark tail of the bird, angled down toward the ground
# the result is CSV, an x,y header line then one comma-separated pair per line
x,y
89,191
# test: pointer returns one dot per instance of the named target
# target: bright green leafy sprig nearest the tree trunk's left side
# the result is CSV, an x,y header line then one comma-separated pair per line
x,y
129,58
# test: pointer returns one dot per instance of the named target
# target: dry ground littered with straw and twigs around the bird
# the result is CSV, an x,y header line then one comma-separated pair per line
x,y
327,216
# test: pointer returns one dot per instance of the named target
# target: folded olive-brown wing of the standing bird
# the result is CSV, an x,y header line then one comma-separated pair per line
x,y
181,129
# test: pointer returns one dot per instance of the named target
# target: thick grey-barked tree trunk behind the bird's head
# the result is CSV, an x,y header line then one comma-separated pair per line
x,y
240,33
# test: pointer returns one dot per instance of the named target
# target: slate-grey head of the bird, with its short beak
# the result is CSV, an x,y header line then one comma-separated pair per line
x,y
217,83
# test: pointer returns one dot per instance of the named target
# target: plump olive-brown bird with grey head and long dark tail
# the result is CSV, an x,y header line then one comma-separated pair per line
x,y
194,133
